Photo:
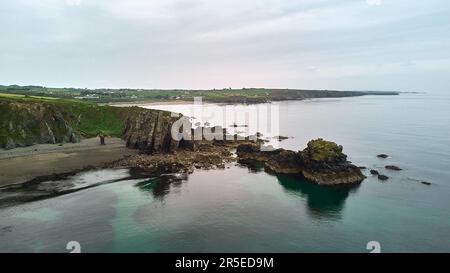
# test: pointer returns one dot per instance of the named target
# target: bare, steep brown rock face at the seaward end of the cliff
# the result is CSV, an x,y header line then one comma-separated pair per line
x,y
149,130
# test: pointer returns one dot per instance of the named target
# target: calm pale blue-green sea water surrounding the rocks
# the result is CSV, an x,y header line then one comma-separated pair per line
x,y
240,210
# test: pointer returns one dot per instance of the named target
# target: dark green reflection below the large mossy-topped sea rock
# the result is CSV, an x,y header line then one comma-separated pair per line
x,y
322,202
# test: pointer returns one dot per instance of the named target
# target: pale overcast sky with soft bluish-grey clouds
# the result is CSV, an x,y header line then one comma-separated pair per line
x,y
399,45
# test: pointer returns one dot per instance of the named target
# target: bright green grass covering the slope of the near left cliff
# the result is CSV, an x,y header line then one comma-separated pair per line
x,y
86,118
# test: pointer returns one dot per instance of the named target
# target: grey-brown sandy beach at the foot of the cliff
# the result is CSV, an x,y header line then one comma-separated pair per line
x,y
23,164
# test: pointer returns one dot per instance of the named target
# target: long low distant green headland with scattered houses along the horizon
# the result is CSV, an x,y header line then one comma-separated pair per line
x,y
244,95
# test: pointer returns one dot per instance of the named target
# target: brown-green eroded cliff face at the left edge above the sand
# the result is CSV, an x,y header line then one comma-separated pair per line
x,y
24,124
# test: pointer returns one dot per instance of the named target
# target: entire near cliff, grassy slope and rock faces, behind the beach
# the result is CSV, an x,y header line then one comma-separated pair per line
x,y
26,121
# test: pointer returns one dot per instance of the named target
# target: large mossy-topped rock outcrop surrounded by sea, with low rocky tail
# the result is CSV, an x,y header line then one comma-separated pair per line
x,y
322,162
